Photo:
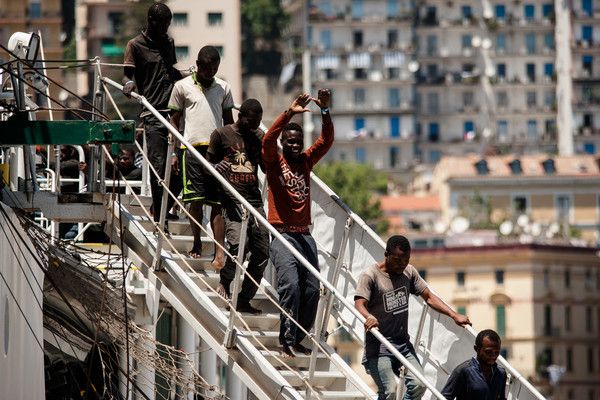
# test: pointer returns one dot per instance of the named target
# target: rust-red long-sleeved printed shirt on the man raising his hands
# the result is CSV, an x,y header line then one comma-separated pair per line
x,y
289,182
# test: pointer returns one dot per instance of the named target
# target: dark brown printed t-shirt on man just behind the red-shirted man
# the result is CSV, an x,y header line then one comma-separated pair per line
x,y
242,151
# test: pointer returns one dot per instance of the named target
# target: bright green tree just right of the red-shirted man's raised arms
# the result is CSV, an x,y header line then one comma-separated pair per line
x,y
356,185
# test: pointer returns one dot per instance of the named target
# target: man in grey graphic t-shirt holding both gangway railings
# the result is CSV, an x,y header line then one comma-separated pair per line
x,y
382,296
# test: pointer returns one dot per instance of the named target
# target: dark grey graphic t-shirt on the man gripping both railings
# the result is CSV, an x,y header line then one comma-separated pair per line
x,y
387,298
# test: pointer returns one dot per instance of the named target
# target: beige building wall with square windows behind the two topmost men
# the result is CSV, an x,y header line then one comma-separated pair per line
x,y
216,23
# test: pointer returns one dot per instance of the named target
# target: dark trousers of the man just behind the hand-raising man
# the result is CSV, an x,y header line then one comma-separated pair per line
x,y
257,243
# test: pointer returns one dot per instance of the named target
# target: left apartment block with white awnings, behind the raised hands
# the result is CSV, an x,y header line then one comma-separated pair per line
x,y
362,51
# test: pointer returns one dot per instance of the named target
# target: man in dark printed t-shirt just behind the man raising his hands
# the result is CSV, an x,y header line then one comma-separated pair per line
x,y
235,150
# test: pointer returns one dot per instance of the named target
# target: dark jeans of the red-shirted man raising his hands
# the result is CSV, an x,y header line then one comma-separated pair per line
x,y
298,289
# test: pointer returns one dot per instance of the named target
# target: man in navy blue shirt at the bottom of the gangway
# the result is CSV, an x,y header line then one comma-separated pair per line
x,y
479,378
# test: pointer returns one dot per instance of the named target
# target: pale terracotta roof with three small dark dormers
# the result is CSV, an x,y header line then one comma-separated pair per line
x,y
531,166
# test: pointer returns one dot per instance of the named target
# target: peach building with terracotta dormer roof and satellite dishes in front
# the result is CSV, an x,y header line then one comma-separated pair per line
x,y
552,191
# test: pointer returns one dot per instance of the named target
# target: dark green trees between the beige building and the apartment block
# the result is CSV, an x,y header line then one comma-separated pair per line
x,y
263,22
